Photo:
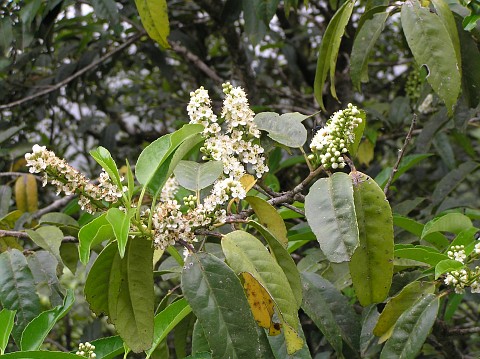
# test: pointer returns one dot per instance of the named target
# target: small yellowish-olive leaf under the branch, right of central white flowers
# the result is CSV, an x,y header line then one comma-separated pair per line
x,y
269,217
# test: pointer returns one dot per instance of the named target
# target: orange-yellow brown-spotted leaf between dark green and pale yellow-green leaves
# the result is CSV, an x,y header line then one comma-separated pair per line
x,y
261,304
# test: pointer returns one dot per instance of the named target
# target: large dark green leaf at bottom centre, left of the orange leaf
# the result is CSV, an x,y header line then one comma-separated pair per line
x,y
216,296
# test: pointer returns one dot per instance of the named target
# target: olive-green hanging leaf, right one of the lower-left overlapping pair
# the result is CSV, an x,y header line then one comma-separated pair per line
x,y
131,296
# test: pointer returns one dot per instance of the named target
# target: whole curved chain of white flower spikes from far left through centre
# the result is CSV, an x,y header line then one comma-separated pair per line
x,y
233,138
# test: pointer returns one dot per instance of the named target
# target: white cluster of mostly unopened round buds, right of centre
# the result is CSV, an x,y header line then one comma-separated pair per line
x,y
331,141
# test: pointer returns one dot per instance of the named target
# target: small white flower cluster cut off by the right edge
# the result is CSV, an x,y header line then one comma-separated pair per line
x,y
464,277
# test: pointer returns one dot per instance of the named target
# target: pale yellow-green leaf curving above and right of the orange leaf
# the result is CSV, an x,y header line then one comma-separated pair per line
x,y
245,253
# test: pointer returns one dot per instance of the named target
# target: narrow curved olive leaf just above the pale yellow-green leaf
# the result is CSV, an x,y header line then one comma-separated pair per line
x,y
284,260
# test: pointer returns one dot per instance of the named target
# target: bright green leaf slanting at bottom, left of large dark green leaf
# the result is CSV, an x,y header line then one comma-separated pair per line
x,y
166,320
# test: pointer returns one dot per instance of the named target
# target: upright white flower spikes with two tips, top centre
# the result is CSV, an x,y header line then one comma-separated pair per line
x,y
236,147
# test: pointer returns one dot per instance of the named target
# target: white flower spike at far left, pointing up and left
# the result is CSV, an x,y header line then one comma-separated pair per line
x,y
70,181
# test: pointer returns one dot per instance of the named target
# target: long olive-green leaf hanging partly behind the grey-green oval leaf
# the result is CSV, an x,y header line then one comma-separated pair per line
x,y
371,266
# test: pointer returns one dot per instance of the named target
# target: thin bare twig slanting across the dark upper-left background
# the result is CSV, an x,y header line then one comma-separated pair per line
x,y
74,76
